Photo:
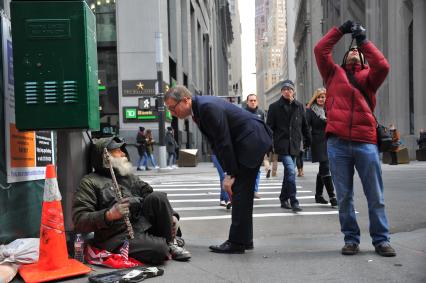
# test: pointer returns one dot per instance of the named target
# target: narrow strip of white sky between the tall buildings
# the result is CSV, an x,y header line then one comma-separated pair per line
x,y
248,58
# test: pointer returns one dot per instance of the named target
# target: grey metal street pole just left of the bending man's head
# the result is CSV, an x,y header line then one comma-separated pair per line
x,y
161,109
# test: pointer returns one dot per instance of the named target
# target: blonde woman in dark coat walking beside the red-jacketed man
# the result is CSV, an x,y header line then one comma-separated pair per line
x,y
315,116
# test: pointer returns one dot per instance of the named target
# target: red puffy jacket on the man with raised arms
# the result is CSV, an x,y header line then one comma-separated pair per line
x,y
348,114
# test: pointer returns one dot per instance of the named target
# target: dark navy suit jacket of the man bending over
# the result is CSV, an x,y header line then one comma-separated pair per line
x,y
236,136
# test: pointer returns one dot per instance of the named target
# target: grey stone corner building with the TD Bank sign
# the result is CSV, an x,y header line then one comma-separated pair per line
x,y
196,37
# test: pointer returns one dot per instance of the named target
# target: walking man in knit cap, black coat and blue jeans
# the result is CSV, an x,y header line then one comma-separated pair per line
x,y
287,119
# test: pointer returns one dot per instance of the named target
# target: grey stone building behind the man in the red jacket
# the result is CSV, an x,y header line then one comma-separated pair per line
x,y
397,29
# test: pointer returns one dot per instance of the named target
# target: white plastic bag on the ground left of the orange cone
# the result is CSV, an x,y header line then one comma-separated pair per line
x,y
20,251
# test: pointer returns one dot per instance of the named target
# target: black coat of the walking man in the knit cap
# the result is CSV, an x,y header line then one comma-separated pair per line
x,y
288,122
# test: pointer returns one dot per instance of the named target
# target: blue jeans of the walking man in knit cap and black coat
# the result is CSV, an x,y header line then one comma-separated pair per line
x,y
288,189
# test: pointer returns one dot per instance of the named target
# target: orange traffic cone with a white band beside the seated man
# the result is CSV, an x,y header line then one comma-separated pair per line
x,y
53,260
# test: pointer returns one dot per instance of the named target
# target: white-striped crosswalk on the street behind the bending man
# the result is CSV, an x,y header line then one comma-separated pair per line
x,y
197,200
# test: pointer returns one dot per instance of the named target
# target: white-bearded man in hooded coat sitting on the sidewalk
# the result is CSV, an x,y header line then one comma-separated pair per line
x,y
96,209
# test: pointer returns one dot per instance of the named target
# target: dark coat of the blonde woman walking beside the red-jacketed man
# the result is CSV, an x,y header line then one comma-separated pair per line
x,y
319,142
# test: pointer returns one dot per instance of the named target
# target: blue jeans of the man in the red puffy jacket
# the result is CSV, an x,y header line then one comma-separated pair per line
x,y
344,156
